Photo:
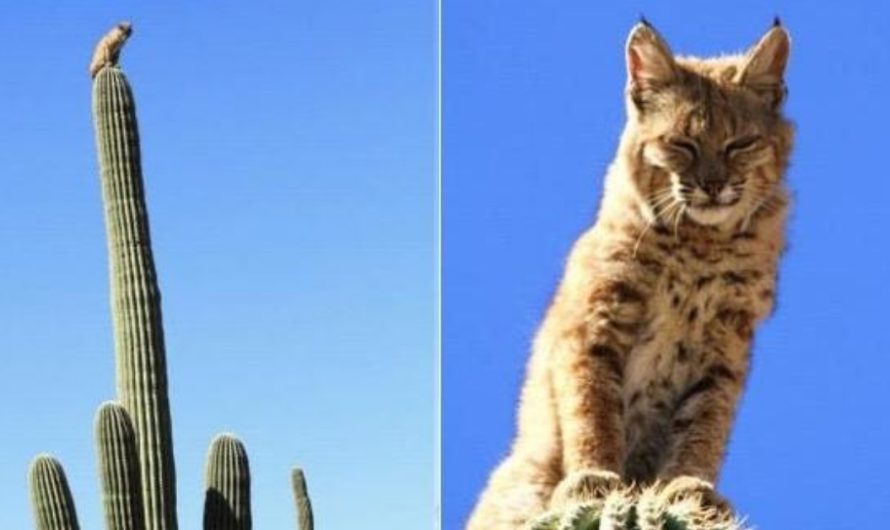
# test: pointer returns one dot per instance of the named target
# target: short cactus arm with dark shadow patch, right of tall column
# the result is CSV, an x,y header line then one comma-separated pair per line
x,y
227,485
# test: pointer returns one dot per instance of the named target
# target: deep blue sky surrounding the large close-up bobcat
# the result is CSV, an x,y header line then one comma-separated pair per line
x,y
533,109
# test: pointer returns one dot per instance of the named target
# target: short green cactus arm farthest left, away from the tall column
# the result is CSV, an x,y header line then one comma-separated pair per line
x,y
50,495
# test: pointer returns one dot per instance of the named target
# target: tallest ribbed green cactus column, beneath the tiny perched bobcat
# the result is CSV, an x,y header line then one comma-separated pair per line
x,y
136,299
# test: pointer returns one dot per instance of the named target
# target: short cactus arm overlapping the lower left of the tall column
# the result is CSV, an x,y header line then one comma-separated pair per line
x,y
119,469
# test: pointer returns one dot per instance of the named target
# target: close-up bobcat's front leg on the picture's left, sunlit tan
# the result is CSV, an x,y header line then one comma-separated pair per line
x,y
587,370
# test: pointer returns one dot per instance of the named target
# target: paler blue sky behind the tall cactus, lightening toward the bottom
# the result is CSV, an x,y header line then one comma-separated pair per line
x,y
289,155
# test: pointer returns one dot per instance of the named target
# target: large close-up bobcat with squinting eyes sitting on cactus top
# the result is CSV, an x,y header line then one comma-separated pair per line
x,y
637,368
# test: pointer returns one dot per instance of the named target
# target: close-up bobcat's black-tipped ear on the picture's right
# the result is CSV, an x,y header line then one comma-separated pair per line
x,y
763,69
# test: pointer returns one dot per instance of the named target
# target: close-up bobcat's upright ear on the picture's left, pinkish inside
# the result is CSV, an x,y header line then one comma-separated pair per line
x,y
650,63
